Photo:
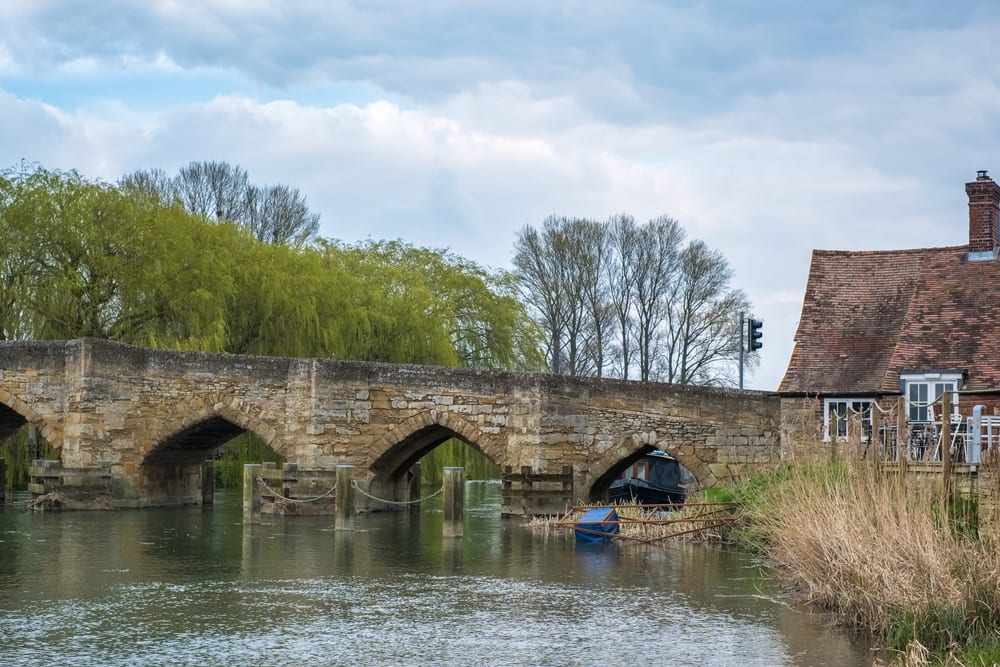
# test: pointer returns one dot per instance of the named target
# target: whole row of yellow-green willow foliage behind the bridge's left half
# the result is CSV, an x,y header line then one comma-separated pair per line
x,y
128,262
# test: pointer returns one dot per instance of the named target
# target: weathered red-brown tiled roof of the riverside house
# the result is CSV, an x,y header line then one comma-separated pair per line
x,y
867,316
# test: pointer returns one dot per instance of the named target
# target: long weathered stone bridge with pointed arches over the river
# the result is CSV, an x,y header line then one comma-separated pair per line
x,y
149,418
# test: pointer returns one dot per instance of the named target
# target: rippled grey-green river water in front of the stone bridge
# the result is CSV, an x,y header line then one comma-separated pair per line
x,y
191,586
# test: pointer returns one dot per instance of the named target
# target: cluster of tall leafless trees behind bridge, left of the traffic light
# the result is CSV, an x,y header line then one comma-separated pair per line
x,y
632,298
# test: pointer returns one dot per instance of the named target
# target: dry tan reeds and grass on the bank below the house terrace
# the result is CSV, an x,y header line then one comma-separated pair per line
x,y
903,565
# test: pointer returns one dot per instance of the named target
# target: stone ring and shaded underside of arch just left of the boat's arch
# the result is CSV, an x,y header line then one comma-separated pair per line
x,y
391,461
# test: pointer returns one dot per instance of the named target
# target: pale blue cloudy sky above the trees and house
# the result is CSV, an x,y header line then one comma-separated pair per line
x,y
767,128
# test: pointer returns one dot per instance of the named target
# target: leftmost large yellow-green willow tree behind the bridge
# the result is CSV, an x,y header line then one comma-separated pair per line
x,y
92,261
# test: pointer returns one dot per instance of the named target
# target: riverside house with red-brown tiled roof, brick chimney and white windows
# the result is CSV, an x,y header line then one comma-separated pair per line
x,y
882,324
